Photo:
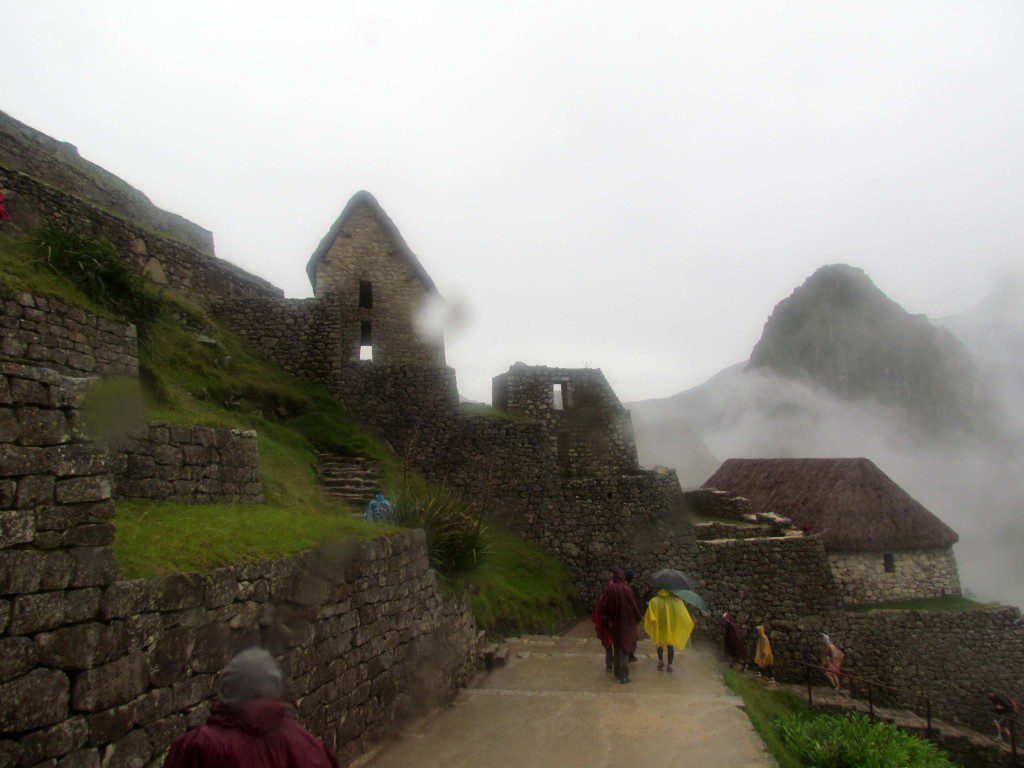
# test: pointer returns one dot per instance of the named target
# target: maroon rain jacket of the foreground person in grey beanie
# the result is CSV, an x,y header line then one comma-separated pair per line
x,y
261,736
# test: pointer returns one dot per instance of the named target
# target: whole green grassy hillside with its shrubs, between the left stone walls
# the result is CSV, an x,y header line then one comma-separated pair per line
x,y
196,371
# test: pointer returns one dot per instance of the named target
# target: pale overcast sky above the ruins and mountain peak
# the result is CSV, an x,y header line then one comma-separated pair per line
x,y
631,189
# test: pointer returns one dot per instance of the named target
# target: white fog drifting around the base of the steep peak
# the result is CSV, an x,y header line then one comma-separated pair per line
x,y
972,482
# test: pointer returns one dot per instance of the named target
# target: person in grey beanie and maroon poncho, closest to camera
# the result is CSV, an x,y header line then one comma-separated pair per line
x,y
249,726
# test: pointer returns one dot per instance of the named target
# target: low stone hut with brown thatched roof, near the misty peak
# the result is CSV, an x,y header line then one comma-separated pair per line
x,y
882,544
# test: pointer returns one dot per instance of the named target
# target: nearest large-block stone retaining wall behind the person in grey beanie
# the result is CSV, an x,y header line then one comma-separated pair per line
x,y
96,671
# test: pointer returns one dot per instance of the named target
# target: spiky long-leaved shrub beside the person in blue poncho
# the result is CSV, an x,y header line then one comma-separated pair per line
x,y
457,540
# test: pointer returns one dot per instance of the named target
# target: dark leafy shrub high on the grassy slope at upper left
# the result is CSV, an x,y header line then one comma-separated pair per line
x,y
97,270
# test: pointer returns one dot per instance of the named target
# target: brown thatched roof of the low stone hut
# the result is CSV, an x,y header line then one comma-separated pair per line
x,y
851,503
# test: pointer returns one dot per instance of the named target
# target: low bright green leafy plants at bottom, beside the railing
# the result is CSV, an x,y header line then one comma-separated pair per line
x,y
826,742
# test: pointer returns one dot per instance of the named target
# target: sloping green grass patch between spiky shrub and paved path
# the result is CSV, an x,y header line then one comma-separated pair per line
x,y
520,589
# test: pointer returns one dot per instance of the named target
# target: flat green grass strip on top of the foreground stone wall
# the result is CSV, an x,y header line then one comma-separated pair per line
x,y
158,538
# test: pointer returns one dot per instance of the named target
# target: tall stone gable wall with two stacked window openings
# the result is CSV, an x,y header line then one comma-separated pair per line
x,y
365,251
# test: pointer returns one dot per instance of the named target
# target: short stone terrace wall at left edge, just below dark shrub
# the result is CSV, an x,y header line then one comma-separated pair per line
x,y
65,338
